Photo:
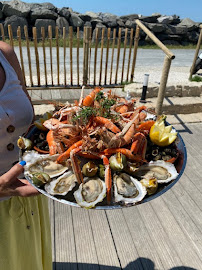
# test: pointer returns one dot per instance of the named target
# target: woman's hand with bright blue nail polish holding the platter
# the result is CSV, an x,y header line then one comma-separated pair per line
x,y
10,185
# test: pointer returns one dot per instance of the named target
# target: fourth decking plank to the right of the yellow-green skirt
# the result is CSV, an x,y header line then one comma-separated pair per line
x,y
125,247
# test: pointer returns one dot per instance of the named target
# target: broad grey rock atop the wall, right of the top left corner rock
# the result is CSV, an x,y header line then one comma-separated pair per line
x,y
43,13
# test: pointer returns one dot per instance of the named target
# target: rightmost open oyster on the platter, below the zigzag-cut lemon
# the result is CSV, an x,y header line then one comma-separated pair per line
x,y
163,171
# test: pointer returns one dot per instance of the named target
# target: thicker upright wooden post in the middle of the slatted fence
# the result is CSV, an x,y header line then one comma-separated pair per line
x,y
86,52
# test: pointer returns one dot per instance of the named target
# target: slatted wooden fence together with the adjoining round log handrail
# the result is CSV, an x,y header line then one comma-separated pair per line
x,y
66,66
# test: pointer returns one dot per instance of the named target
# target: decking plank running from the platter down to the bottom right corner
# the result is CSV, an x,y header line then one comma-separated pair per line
x,y
185,249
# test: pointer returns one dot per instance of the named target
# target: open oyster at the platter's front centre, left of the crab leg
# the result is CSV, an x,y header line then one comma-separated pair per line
x,y
90,193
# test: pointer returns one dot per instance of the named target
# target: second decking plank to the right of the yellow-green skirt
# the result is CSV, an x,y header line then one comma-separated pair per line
x,y
85,245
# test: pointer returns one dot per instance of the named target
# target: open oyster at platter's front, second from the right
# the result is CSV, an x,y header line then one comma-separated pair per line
x,y
127,189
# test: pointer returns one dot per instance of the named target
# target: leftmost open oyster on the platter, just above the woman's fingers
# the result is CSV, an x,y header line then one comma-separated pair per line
x,y
45,164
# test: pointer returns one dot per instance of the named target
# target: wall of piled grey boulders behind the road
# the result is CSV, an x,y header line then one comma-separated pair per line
x,y
169,29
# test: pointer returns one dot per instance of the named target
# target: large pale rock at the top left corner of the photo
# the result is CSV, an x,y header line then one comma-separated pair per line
x,y
16,7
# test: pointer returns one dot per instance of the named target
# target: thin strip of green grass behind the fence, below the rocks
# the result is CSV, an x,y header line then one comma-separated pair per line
x,y
74,44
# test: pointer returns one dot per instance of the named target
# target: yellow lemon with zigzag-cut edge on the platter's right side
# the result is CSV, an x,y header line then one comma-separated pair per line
x,y
162,135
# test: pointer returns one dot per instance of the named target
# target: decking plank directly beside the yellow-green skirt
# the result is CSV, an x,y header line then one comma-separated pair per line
x,y
64,237
